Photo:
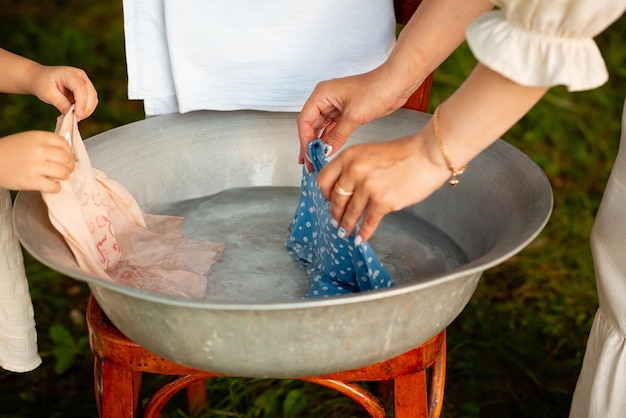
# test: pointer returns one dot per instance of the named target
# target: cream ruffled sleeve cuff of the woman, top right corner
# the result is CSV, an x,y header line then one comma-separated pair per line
x,y
544,43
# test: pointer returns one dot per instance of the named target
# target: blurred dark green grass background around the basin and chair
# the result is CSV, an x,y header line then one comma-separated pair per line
x,y
516,349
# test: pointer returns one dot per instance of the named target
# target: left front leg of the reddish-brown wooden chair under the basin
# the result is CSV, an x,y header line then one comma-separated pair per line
x,y
118,390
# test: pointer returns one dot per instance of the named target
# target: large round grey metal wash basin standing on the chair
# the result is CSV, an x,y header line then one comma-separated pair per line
x,y
502,203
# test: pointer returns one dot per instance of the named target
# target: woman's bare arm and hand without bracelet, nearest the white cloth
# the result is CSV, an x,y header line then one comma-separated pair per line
x,y
435,30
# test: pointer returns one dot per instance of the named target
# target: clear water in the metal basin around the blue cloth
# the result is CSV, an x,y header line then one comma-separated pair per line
x,y
254,223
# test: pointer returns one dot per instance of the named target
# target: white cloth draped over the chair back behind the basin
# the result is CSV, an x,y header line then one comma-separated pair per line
x,y
185,55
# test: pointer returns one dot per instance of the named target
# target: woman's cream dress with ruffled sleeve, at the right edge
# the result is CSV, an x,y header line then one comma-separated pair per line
x,y
547,43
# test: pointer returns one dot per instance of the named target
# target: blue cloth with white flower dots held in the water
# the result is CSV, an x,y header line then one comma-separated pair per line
x,y
334,265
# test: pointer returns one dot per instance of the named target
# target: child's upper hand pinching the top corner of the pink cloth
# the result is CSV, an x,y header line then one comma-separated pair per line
x,y
62,86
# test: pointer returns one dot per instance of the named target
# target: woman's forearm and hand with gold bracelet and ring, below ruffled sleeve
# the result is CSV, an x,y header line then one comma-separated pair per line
x,y
389,176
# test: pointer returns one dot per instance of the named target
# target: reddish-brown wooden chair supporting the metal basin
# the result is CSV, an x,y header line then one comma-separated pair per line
x,y
416,379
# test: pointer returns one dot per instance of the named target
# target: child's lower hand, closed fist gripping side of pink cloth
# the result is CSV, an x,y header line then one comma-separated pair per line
x,y
34,160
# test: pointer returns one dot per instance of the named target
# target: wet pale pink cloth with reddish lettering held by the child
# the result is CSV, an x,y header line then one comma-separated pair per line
x,y
113,239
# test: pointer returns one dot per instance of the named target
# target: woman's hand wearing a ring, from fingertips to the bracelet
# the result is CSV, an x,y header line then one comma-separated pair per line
x,y
370,180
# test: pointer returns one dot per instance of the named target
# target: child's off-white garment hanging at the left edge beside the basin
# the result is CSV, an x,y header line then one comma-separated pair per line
x,y
18,338
